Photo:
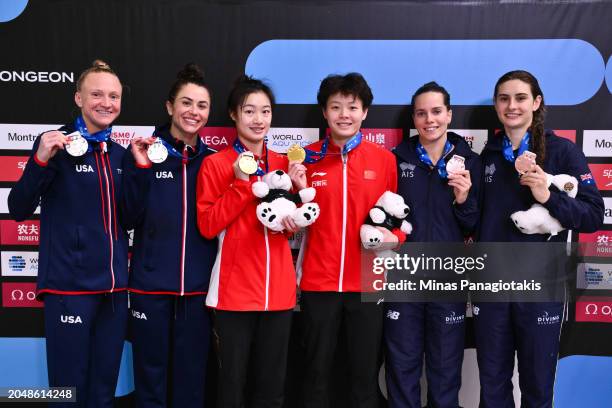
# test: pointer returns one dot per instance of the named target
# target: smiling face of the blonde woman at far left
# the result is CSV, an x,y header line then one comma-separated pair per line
x,y
99,99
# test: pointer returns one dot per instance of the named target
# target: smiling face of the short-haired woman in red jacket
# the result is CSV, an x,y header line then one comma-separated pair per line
x,y
344,115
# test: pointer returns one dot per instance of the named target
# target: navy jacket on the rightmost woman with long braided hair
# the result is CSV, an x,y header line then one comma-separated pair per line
x,y
503,195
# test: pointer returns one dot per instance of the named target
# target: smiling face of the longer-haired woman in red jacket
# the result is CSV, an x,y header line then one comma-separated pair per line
x,y
253,118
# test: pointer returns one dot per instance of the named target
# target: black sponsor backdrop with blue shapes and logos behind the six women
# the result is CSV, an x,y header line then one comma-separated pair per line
x,y
397,45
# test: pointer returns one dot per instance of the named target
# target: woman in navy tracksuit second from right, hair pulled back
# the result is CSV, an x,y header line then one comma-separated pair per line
x,y
444,208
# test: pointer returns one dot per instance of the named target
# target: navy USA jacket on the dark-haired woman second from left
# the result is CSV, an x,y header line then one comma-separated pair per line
x,y
170,256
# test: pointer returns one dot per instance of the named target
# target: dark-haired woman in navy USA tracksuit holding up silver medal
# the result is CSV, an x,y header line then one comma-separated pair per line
x,y
171,262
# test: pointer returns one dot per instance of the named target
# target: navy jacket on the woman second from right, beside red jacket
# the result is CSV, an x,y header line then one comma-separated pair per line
x,y
433,214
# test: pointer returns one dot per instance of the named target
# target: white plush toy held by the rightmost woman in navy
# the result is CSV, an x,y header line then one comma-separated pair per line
x,y
537,219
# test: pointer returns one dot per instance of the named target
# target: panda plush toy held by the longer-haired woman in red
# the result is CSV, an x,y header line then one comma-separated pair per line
x,y
277,202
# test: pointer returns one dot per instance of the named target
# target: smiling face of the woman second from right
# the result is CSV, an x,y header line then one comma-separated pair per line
x,y
431,117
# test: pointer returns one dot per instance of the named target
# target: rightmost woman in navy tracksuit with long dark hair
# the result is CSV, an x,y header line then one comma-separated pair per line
x,y
502,328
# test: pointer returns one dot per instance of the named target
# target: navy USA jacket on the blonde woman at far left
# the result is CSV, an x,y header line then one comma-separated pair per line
x,y
83,247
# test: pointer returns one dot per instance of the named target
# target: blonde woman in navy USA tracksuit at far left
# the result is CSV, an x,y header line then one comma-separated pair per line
x,y
82,270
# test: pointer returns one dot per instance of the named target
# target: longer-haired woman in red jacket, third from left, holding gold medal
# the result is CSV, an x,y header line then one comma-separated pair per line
x,y
253,284
